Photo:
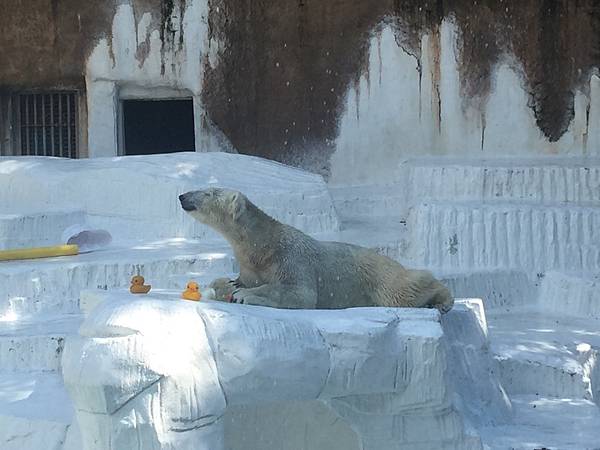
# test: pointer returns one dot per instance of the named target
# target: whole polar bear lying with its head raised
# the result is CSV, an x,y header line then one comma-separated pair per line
x,y
284,268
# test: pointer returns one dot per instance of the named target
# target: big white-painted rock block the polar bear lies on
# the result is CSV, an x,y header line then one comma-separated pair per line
x,y
161,373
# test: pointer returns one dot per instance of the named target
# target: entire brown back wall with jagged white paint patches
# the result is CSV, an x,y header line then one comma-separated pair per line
x,y
344,87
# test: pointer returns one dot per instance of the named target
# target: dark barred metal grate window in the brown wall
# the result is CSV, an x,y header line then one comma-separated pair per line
x,y
48,124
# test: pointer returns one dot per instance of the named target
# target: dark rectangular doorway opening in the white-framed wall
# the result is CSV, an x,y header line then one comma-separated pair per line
x,y
158,126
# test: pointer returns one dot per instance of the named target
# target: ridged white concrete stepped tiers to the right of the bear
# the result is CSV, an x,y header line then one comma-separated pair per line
x,y
524,236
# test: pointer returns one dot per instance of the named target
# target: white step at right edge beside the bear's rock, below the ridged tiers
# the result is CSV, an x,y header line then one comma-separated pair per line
x,y
549,355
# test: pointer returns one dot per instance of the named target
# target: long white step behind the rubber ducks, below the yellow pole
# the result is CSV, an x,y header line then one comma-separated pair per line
x,y
38,287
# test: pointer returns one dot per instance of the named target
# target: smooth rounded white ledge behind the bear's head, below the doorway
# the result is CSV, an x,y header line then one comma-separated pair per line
x,y
135,198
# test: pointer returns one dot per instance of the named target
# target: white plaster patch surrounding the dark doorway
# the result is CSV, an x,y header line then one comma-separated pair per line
x,y
134,59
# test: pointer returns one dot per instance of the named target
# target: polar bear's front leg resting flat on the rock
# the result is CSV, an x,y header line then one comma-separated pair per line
x,y
277,296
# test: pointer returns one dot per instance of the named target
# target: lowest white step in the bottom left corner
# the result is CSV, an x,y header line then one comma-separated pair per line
x,y
35,412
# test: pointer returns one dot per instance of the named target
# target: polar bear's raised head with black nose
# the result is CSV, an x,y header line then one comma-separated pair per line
x,y
217,208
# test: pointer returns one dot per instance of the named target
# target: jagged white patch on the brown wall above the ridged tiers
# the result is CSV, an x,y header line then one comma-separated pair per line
x,y
396,114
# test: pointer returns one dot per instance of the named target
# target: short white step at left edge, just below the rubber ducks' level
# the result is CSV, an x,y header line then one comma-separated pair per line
x,y
30,345
